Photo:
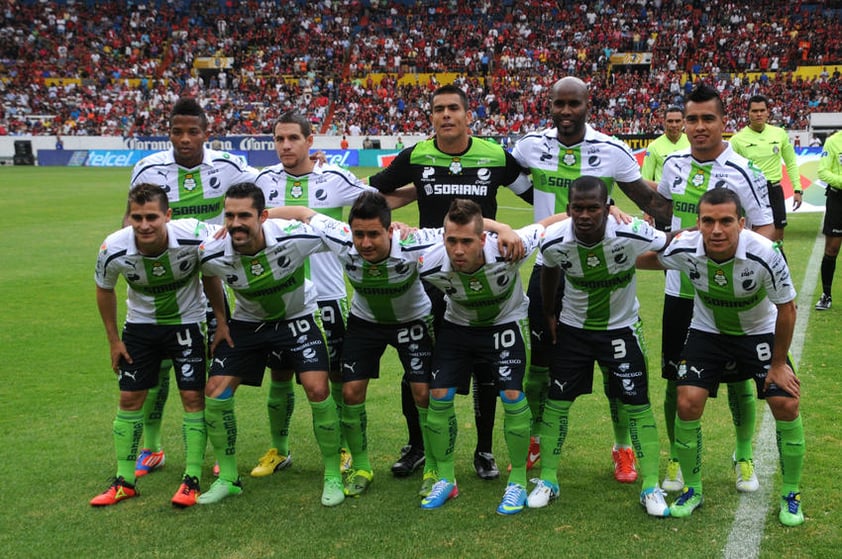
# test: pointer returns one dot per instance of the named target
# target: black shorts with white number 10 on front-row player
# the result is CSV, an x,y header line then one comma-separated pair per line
x,y
505,348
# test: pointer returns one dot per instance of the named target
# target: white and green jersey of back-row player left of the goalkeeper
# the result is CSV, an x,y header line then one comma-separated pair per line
x,y
327,190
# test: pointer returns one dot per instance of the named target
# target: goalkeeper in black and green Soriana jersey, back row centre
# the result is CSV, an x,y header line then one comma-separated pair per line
x,y
452,165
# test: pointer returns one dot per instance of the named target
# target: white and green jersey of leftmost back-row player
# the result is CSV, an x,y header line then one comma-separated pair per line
x,y
196,192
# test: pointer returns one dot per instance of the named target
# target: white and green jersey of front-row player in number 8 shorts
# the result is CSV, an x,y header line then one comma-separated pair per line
x,y
736,297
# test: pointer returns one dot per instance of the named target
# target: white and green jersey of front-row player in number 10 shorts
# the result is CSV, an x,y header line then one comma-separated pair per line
x,y
490,296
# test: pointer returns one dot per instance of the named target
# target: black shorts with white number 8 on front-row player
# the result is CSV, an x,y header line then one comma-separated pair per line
x,y
711,359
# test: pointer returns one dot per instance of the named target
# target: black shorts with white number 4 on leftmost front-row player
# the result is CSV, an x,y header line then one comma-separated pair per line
x,y
150,344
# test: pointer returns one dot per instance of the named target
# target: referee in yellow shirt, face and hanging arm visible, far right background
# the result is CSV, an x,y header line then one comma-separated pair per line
x,y
765,146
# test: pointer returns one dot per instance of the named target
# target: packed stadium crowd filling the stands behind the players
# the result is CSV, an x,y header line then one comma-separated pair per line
x,y
124,66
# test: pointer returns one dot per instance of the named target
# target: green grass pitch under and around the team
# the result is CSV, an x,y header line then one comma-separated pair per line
x,y
58,398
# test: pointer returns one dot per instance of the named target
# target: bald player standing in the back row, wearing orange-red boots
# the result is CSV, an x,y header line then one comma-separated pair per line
x,y
555,158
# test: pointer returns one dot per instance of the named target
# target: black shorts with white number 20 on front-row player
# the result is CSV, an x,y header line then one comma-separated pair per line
x,y
366,341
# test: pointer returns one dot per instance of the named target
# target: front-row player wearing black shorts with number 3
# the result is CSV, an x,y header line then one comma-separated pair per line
x,y
599,322
